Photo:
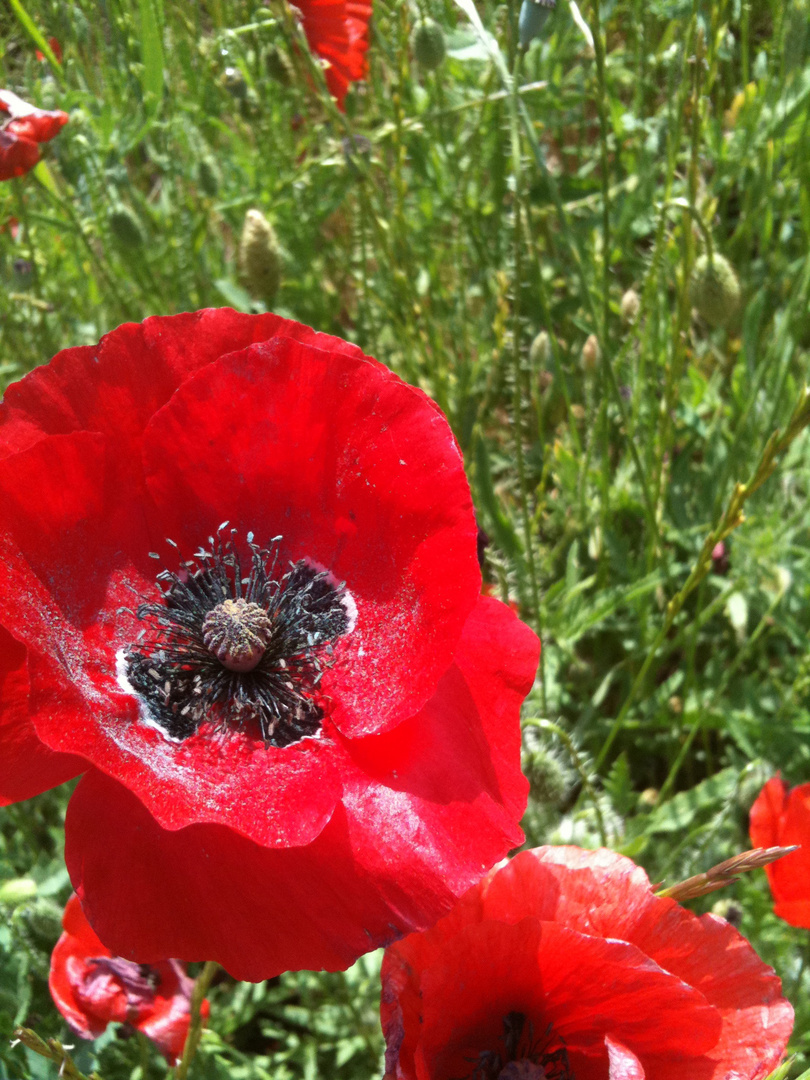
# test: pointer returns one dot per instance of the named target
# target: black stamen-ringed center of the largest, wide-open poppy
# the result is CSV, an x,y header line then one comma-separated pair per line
x,y
238,651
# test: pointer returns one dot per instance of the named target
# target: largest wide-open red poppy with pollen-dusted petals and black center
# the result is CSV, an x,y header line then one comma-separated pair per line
x,y
300,730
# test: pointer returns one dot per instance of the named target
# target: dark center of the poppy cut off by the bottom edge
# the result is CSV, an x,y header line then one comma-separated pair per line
x,y
523,1057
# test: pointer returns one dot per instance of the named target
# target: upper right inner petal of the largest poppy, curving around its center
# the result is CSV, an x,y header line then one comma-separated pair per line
x,y
361,476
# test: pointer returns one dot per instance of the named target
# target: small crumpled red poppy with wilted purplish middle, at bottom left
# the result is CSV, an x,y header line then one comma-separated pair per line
x,y
93,989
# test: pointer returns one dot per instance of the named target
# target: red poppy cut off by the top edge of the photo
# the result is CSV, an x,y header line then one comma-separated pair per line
x,y
337,32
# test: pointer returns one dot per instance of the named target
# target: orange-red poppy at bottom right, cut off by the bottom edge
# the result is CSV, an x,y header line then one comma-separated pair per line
x,y
564,964
